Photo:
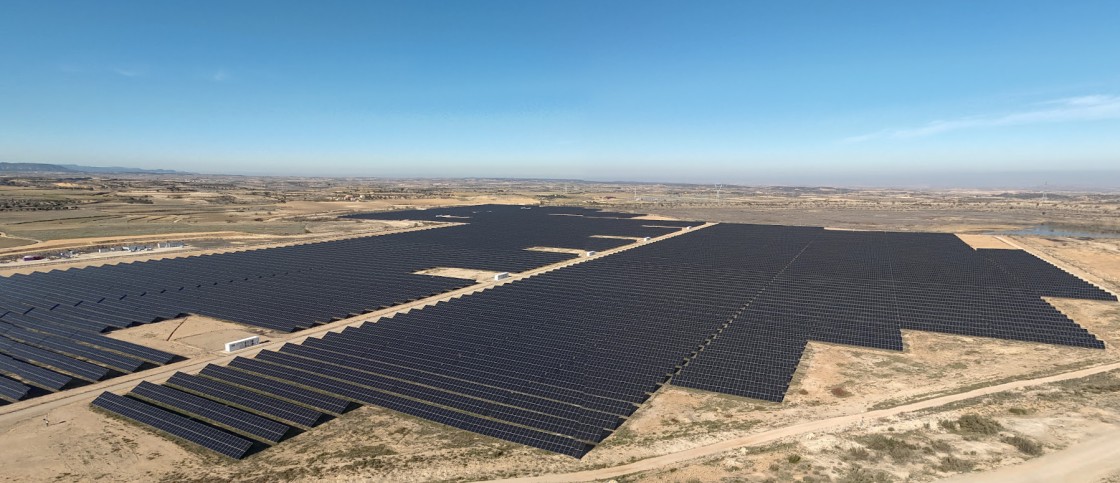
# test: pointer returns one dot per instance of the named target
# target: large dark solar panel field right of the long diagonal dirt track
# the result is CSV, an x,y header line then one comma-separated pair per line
x,y
561,360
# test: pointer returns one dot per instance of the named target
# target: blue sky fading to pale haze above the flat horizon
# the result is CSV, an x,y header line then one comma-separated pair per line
x,y
799,92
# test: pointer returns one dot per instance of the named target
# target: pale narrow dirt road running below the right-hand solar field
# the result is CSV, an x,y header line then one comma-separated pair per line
x,y
824,425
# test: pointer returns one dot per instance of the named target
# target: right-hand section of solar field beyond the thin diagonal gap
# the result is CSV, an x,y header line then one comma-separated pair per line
x,y
862,289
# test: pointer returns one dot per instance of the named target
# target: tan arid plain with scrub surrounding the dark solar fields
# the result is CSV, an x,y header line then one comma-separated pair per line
x,y
945,407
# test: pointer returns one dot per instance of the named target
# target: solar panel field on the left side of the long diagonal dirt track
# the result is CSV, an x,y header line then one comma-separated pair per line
x,y
51,323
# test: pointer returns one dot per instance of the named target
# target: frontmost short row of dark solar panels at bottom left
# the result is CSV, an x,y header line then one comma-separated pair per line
x,y
175,425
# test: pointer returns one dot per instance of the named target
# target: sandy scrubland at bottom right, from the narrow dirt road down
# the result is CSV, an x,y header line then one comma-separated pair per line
x,y
917,442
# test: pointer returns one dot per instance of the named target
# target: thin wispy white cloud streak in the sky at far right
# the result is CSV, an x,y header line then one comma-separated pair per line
x,y
1088,108
